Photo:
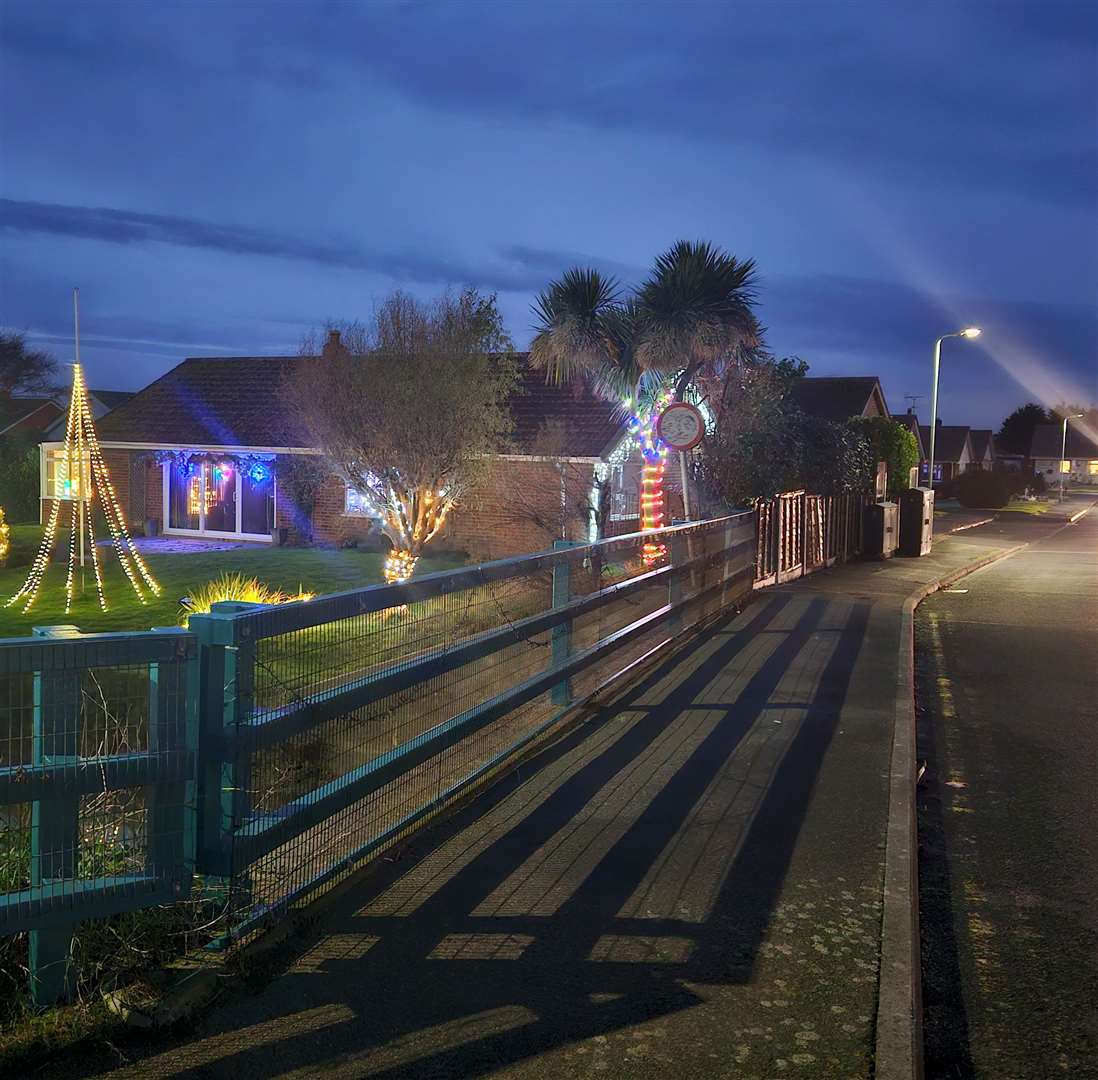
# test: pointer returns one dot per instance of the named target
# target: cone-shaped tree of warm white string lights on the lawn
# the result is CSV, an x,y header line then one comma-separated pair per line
x,y
83,478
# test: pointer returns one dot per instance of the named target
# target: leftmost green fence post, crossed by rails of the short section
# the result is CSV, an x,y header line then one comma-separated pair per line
x,y
55,823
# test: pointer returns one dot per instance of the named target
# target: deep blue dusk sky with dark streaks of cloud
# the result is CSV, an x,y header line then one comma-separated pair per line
x,y
218,178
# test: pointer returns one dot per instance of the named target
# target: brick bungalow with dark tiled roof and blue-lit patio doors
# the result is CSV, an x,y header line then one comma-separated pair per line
x,y
198,453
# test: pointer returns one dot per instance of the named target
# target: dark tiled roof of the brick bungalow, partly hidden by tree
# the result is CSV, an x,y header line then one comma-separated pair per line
x,y
240,402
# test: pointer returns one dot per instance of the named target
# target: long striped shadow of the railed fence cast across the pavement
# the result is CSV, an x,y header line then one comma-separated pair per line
x,y
641,856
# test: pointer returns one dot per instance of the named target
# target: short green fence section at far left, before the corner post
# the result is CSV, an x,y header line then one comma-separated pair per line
x,y
97,770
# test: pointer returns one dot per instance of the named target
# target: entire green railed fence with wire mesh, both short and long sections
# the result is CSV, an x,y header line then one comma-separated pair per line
x,y
276,748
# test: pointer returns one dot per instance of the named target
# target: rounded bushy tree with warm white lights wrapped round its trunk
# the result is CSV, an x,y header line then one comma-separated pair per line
x,y
409,410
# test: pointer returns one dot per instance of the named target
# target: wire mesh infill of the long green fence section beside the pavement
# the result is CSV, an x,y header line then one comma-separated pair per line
x,y
295,672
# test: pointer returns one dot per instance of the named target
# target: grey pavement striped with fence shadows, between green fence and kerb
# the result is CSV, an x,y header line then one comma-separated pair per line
x,y
689,885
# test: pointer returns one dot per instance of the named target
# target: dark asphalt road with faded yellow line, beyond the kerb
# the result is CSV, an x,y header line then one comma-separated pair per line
x,y
1007,687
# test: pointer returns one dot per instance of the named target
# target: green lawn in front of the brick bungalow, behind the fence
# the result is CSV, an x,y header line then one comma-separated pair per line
x,y
315,569
